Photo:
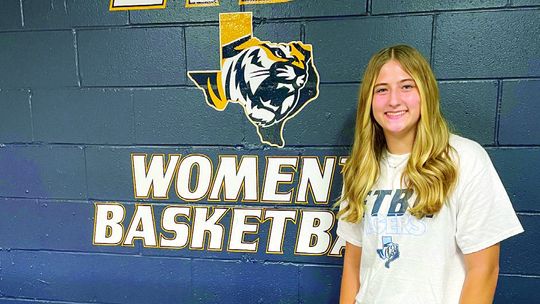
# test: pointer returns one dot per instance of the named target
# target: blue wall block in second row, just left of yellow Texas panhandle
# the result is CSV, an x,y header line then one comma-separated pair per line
x,y
132,57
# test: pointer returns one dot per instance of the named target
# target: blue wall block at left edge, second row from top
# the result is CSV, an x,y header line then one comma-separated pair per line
x,y
38,59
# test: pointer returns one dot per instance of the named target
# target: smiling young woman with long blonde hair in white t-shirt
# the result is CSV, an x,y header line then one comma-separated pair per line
x,y
422,210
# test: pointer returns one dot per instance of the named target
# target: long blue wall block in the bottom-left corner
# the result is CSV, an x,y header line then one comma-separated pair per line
x,y
81,277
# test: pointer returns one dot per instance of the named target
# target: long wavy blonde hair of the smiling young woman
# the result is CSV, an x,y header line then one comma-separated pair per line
x,y
430,171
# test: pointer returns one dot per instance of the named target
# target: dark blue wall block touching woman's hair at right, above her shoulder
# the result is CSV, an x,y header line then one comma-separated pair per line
x,y
470,108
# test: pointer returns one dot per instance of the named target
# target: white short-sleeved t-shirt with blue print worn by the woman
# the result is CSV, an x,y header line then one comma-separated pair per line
x,y
406,260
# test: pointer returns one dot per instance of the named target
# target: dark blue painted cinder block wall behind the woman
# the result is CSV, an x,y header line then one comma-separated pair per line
x,y
81,88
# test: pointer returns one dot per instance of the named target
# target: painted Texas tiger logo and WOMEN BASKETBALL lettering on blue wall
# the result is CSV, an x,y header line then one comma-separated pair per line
x,y
246,202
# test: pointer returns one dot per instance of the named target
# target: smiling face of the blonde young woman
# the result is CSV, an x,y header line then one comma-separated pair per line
x,y
396,102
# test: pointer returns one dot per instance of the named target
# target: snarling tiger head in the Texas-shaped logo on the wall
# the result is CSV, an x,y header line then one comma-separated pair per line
x,y
271,81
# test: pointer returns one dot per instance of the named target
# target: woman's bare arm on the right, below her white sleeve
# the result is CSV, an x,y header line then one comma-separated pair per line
x,y
481,279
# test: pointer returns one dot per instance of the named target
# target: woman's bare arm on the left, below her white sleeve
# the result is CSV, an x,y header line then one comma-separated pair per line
x,y
350,282
